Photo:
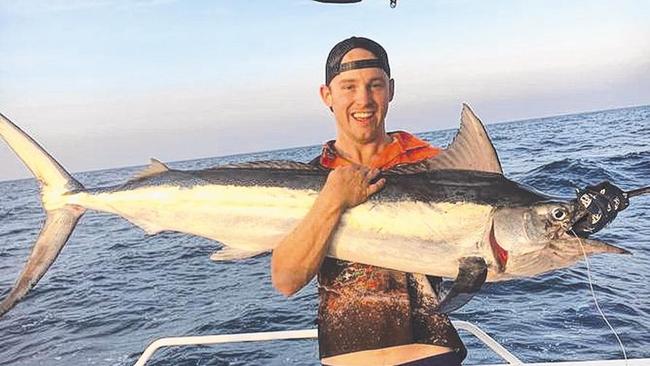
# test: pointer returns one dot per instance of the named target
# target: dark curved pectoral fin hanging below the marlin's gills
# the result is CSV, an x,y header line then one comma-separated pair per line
x,y
472,273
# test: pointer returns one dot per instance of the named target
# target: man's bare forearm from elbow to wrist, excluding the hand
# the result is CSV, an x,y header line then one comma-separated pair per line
x,y
298,256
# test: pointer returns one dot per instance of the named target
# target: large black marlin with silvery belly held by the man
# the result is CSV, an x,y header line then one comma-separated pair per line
x,y
454,216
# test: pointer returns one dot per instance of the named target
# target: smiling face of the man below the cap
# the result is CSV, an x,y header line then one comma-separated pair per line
x,y
359,99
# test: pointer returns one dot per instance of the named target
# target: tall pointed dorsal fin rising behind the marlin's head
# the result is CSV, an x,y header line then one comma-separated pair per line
x,y
471,149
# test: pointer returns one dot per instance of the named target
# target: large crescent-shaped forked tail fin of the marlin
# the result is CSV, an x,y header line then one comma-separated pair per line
x,y
61,217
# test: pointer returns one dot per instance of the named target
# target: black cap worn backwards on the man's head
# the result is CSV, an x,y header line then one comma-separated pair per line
x,y
334,66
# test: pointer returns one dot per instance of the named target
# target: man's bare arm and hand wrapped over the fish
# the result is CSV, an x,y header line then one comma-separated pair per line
x,y
299,255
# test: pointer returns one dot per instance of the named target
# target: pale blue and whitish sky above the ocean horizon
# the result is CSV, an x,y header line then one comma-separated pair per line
x,y
111,83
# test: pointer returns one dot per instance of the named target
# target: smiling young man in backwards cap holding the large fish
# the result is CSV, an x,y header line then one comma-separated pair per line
x,y
367,315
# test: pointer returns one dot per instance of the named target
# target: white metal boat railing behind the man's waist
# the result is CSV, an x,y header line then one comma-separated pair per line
x,y
508,357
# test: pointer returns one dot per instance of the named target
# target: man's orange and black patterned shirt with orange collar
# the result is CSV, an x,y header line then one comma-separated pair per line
x,y
364,307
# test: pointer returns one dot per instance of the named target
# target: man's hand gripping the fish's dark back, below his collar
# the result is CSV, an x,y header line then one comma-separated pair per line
x,y
351,185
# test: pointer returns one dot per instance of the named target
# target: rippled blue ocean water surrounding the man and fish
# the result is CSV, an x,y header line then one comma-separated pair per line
x,y
114,289
